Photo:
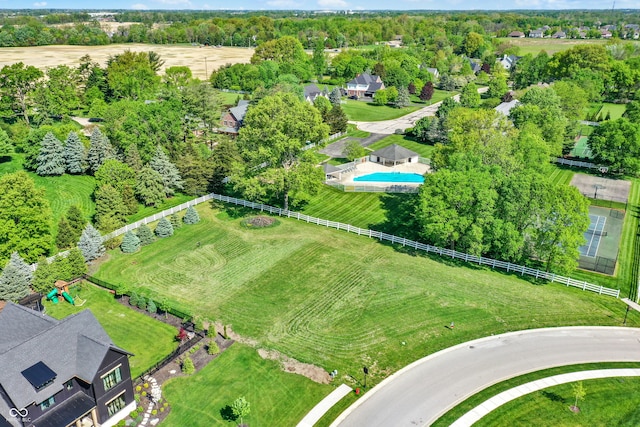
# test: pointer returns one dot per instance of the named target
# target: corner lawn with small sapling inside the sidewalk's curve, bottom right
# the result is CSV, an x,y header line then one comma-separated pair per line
x,y
607,403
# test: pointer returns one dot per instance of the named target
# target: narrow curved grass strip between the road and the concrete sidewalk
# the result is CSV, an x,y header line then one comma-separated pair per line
x,y
475,400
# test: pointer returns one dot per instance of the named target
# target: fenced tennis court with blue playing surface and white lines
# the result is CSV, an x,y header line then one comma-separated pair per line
x,y
602,238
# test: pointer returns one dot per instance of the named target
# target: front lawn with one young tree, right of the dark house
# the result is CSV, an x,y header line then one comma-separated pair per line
x,y
277,398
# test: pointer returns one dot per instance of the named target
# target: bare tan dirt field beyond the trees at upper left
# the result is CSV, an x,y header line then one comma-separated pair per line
x,y
201,60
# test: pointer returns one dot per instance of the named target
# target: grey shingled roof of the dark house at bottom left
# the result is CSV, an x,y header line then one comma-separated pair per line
x,y
72,347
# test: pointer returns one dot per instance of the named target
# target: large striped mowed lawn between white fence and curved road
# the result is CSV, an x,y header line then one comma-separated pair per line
x,y
339,300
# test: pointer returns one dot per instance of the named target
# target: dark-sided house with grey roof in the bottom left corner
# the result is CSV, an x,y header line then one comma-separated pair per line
x,y
58,373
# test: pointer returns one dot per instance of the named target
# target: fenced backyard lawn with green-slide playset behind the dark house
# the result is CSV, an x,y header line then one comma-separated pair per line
x,y
149,340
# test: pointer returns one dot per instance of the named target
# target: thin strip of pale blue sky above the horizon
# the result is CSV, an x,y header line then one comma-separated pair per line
x,y
323,4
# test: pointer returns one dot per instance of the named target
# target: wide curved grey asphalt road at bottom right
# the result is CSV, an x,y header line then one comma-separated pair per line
x,y
423,391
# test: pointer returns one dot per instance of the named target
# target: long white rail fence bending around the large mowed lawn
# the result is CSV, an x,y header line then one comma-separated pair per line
x,y
522,270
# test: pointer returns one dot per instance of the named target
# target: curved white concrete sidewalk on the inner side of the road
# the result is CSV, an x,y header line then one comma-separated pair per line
x,y
498,400
